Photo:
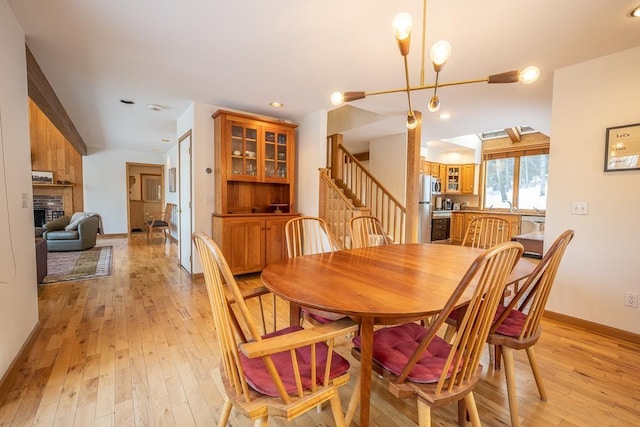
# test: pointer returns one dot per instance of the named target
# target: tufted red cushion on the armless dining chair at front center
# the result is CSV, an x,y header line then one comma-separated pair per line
x,y
392,348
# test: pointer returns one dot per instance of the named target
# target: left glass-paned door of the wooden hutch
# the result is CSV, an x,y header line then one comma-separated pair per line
x,y
244,150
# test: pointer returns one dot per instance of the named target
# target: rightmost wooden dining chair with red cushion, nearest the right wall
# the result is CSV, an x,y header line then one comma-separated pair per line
x,y
517,324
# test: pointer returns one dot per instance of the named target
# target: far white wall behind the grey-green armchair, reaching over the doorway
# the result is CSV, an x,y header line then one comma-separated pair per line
x,y
105,184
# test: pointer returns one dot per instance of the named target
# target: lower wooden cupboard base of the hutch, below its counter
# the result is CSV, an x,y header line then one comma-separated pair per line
x,y
251,242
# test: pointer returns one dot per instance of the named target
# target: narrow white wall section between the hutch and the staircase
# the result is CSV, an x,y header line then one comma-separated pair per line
x,y
311,155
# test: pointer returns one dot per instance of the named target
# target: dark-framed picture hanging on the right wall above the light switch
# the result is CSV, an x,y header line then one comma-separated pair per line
x,y
622,149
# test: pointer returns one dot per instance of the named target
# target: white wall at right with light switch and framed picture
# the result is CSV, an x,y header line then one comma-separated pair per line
x,y
603,261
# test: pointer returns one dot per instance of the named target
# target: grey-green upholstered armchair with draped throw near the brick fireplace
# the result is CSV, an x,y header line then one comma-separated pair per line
x,y
72,233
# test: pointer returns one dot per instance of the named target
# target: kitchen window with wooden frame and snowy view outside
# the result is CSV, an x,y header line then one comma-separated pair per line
x,y
519,178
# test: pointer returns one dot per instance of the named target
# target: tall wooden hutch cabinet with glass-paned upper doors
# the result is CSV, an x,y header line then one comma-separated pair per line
x,y
255,189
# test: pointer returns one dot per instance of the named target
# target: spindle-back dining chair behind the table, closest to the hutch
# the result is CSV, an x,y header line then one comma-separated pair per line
x,y
308,235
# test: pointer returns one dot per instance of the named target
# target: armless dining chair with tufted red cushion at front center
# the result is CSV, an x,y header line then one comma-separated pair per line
x,y
417,364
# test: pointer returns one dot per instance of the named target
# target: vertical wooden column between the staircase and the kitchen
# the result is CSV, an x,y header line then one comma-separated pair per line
x,y
413,180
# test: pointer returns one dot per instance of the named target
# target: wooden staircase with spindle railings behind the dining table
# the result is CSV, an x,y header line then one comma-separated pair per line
x,y
347,189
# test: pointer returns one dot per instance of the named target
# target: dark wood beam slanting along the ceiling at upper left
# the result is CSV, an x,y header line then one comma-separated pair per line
x,y
41,92
